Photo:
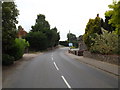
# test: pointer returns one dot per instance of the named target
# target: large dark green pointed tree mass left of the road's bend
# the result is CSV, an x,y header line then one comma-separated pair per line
x,y
41,36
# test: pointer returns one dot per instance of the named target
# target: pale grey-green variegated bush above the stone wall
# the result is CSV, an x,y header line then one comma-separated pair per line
x,y
106,43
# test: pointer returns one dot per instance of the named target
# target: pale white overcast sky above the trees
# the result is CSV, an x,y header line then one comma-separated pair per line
x,y
66,15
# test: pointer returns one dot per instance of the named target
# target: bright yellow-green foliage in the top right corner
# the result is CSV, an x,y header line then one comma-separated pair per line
x,y
115,15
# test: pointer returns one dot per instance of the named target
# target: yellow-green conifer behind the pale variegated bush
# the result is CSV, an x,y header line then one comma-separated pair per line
x,y
93,26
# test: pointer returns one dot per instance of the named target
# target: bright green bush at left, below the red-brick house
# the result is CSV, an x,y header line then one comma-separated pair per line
x,y
18,50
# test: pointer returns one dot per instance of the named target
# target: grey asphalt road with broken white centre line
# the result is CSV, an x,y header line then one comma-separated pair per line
x,y
54,69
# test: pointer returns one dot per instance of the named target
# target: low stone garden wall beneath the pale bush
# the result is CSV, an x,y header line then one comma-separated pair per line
x,y
113,59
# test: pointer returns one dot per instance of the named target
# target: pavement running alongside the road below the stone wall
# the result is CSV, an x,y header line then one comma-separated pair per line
x,y
110,68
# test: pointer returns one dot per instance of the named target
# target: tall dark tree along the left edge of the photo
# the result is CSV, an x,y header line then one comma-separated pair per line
x,y
9,21
